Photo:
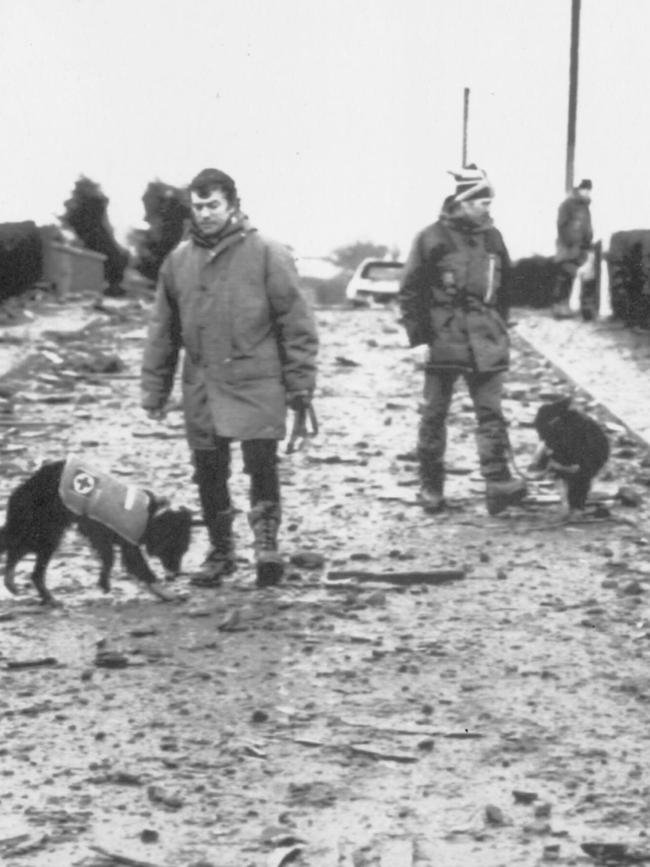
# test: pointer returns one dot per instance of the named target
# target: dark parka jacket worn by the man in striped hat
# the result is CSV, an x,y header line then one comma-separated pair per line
x,y
453,296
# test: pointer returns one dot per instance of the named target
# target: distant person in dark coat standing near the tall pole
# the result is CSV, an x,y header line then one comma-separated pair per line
x,y
574,237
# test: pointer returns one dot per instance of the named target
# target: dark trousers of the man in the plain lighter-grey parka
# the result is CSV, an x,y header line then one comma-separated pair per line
x,y
213,471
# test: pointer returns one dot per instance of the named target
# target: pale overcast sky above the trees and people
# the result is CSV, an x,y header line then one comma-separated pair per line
x,y
337,118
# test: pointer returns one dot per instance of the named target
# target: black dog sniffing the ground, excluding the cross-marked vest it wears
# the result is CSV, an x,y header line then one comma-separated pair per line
x,y
37,519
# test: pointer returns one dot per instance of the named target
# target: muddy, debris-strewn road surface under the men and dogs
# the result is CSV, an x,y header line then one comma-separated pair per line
x,y
497,719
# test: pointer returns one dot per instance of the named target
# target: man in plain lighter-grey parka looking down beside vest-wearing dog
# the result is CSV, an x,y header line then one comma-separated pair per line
x,y
229,296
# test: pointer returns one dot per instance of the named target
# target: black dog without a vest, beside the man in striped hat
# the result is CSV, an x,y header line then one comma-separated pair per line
x,y
575,448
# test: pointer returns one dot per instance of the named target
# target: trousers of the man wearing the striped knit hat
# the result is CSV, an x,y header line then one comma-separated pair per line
x,y
491,432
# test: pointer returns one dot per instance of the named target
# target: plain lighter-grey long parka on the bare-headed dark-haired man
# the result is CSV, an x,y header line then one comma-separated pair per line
x,y
249,337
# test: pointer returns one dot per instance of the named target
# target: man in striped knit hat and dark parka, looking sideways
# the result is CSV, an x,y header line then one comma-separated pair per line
x,y
453,299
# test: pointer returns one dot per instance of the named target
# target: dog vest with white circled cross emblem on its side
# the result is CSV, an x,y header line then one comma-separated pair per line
x,y
91,493
